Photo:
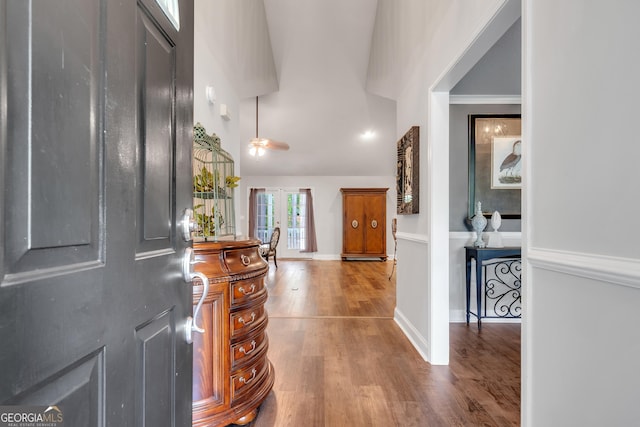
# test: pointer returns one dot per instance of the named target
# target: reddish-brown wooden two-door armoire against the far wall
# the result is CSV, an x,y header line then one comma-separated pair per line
x,y
364,221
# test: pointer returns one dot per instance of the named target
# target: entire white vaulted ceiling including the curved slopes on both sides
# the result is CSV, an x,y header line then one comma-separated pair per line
x,y
326,72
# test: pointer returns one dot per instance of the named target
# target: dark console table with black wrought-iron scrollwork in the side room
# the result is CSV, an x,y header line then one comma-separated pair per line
x,y
504,288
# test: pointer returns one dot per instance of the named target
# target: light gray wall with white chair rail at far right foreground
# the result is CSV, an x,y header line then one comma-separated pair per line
x,y
581,343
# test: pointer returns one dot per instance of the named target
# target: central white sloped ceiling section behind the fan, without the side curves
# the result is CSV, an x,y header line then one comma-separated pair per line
x,y
320,108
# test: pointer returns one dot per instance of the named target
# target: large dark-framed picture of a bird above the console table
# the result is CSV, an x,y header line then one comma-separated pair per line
x,y
494,169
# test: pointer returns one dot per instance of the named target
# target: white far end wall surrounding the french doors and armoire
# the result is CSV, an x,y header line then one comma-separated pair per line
x,y
327,204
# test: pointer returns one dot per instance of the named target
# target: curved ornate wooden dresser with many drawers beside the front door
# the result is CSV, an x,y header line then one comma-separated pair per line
x,y
231,372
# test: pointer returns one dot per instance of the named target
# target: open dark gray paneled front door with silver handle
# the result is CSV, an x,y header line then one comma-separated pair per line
x,y
95,148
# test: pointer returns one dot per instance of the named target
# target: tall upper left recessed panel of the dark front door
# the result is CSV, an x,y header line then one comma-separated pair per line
x,y
53,76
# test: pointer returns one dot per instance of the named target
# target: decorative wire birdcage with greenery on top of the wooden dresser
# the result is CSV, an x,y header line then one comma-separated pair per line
x,y
213,184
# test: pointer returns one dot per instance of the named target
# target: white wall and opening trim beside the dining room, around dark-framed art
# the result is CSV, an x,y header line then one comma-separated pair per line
x,y
423,291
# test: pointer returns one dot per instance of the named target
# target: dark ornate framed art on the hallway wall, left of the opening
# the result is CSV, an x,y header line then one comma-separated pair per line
x,y
407,174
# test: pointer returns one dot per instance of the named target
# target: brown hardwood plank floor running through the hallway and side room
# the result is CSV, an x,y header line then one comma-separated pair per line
x,y
341,360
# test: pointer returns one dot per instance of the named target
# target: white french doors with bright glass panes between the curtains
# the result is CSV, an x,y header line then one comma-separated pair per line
x,y
286,208
